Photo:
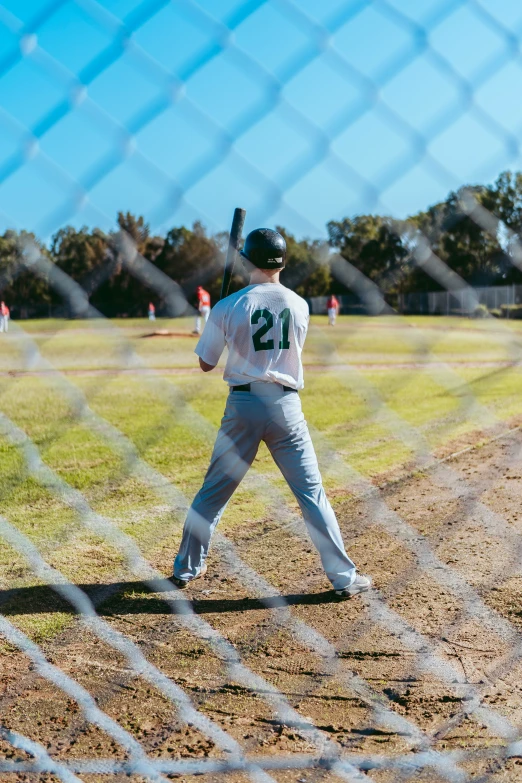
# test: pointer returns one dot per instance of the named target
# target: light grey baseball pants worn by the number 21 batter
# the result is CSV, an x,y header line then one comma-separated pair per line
x,y
270,414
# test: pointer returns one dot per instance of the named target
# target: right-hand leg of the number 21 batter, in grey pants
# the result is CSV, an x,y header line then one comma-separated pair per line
x,y
290,444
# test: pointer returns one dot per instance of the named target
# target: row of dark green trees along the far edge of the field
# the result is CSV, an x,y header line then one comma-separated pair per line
x,y
479,249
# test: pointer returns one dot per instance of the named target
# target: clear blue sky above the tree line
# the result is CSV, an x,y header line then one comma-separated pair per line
x,y
300,111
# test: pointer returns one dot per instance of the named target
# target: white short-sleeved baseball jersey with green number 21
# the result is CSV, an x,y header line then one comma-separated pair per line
x,y
264,327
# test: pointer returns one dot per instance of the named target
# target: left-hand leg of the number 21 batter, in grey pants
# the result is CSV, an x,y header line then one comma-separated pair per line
x,y
236,446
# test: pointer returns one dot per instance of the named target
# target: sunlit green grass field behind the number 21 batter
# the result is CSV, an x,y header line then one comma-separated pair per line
x,y
447,377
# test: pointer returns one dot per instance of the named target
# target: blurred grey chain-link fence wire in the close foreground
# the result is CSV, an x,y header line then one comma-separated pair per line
x,y
423,750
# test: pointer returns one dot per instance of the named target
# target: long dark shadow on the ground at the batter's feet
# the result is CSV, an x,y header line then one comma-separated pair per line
x,y
119,598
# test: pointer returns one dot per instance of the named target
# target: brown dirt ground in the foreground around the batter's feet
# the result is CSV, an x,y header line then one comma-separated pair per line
x,y
441,655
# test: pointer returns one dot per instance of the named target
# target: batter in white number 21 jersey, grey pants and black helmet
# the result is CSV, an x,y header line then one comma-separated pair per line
x,y
264,327
